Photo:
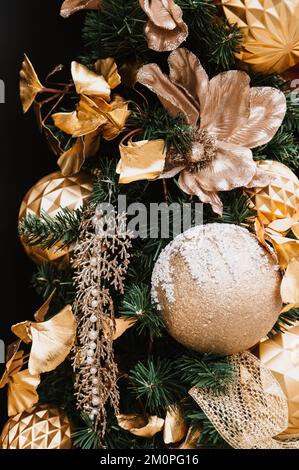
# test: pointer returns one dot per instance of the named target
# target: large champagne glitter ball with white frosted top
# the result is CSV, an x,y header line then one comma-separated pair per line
x,y
217,288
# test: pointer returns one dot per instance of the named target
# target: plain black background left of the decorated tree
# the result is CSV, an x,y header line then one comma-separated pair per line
x,y
34,27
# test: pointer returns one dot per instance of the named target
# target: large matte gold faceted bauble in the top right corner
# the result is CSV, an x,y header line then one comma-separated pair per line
x,y
271,32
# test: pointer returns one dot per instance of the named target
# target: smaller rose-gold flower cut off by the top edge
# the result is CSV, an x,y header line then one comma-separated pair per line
x,y
165,29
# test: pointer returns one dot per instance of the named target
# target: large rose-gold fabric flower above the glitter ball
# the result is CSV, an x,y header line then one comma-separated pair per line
x,y
228,119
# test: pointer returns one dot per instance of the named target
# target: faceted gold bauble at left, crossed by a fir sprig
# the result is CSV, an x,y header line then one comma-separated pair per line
x,y
49,195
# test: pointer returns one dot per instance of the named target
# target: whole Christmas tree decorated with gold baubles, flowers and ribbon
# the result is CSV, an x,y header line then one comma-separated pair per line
x,y
166,240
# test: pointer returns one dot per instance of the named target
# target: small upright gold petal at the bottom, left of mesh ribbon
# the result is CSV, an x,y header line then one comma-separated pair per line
x,y
175,427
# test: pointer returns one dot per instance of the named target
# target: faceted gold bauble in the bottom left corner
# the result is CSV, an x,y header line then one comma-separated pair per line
x,y
42,427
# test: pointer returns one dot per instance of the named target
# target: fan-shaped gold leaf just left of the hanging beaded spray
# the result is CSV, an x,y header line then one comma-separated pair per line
x,y
52,341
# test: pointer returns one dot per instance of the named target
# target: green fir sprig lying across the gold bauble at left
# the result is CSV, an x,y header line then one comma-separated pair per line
x,y
47,231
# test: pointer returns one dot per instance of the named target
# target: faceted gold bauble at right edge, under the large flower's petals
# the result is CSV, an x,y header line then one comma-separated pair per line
x,y
280,199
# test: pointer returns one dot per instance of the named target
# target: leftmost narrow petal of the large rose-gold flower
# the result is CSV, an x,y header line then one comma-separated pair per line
x,y
173,99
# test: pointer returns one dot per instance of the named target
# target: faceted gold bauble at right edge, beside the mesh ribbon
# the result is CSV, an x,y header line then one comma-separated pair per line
x,y
280,354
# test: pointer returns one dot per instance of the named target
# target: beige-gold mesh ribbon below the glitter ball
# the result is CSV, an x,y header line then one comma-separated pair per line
x,y
252,412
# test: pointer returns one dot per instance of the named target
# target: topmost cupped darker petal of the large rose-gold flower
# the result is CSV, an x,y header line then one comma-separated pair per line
x,y
186,71
